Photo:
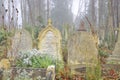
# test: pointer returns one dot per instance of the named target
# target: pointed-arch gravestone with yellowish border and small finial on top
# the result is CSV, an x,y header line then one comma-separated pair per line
x,y
50,41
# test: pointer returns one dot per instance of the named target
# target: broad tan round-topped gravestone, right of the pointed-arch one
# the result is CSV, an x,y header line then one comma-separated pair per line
x,y
82,49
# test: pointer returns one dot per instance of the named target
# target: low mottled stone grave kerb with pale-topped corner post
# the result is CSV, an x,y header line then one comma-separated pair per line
x,y
18,73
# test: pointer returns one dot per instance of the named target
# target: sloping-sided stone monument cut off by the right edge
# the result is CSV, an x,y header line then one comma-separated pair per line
x,y
115,57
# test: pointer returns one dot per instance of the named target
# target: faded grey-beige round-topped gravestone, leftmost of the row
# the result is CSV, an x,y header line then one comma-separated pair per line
x,y
22,41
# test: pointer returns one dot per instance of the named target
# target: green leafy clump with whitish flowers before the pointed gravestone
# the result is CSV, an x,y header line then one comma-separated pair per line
x,y
35,59
